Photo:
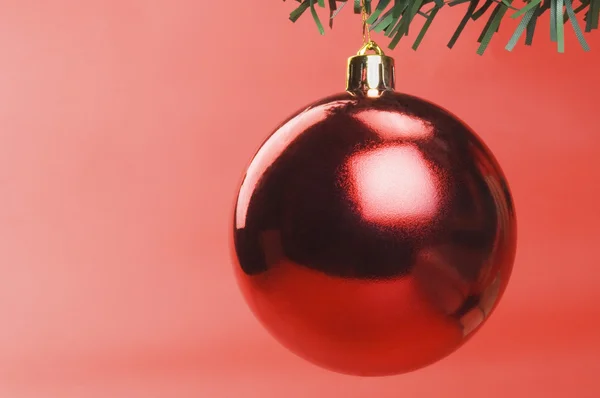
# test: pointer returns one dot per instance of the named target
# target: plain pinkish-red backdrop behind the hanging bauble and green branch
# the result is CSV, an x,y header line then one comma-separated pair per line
x,y
125,127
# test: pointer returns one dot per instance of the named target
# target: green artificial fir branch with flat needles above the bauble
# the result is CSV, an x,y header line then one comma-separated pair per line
x,y
394,18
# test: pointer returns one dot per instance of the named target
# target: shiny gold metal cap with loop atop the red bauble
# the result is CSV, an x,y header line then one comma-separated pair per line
x,y
370,75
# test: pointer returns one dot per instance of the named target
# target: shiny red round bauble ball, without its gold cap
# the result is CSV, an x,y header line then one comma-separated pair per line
x,y
373,236
